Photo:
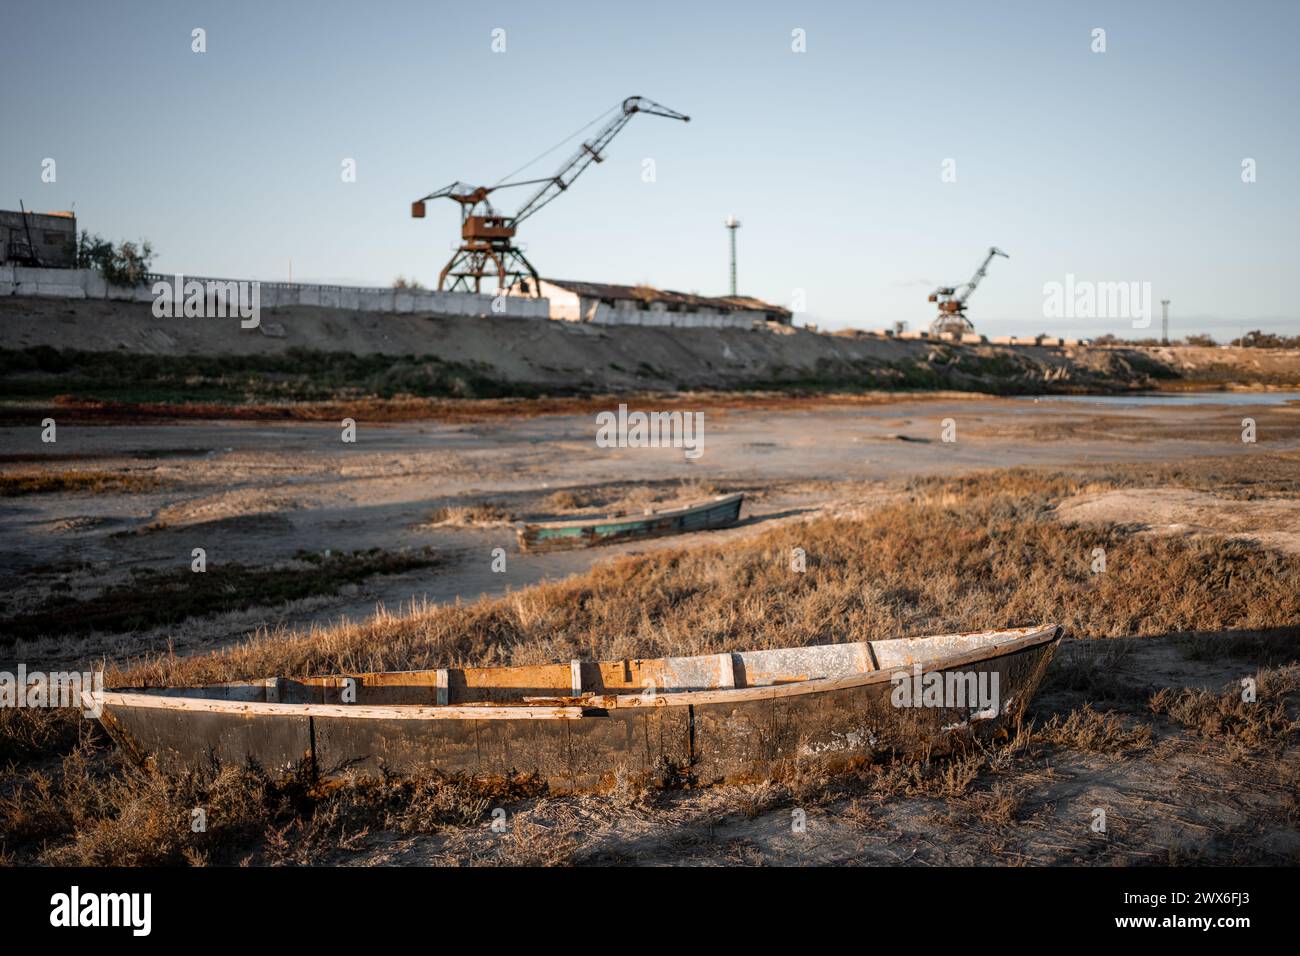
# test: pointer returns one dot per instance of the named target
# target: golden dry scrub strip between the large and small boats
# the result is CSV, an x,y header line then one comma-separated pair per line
x,y
955,557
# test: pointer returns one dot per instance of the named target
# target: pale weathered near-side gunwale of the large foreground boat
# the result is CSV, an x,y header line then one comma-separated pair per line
x,y
599,706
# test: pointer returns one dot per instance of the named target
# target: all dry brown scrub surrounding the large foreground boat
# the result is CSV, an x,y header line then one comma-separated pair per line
x,y
946,555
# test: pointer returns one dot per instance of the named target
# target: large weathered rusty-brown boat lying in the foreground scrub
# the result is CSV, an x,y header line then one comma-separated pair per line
x,y
584,725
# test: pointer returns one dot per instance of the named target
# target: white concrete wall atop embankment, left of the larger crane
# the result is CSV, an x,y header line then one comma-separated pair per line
x,y
88,284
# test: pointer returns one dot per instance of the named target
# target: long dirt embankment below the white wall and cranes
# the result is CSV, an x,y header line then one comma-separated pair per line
x,y
58,347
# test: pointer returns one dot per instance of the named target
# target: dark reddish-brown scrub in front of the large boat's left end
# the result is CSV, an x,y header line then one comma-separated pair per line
x,y
127,816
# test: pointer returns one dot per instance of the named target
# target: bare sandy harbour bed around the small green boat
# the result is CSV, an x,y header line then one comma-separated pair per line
x,y
261,494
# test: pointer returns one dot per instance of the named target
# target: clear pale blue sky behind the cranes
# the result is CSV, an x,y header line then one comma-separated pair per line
x,y
1113,167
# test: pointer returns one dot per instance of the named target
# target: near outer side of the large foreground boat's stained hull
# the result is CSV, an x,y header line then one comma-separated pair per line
x,y
703,737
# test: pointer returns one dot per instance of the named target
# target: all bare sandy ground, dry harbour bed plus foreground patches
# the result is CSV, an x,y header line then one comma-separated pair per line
x,y
259,494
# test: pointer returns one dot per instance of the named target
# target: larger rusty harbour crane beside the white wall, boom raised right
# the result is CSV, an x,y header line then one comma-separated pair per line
x,y
488,236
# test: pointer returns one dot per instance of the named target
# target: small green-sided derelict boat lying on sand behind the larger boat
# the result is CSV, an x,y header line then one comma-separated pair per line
x,y
545,537
